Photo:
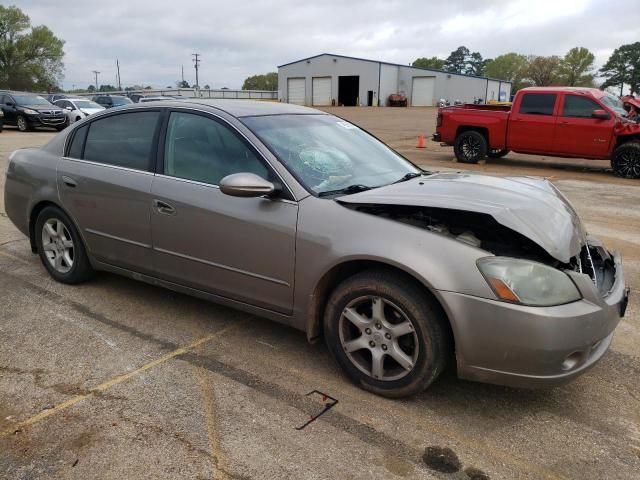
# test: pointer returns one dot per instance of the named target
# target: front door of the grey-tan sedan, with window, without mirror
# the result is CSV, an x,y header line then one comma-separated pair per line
x,y
239,248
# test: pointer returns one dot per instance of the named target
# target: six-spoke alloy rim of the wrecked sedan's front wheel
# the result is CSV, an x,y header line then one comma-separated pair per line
x,y
378,338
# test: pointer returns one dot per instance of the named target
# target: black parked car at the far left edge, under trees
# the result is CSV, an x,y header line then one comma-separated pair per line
x,y
27,110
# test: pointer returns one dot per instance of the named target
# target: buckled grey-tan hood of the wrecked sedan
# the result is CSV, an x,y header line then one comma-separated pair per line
x,y
530,206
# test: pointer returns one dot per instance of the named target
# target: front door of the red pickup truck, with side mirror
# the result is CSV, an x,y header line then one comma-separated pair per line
x,y
578,133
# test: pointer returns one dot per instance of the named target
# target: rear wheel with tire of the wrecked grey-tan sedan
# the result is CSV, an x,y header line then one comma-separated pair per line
x,y
63,254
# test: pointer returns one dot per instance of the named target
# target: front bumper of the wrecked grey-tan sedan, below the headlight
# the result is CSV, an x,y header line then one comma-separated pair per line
x,y
529,347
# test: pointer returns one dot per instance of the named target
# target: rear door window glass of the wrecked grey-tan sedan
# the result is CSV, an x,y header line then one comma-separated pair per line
x,y
124,140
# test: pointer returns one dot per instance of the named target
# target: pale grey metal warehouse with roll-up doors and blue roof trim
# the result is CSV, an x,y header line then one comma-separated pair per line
x,y
328,79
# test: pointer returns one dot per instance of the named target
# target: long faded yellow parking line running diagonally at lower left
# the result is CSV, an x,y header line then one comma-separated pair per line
x,y
114,381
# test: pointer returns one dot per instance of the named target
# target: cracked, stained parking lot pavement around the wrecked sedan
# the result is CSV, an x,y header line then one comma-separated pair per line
x,y
119,379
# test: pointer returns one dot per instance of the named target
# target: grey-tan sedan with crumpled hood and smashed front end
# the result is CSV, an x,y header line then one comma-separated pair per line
x,y
301,217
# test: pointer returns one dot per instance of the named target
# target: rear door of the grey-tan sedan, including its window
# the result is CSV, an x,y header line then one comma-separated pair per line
x,y
105,183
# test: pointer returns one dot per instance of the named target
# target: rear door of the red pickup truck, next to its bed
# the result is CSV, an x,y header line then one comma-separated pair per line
x,y
532,124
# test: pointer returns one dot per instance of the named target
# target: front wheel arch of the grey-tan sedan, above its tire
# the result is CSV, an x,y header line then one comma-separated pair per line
x,y
339,272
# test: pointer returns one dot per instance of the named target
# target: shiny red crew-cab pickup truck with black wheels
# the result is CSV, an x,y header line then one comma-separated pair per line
x,y
552,121
